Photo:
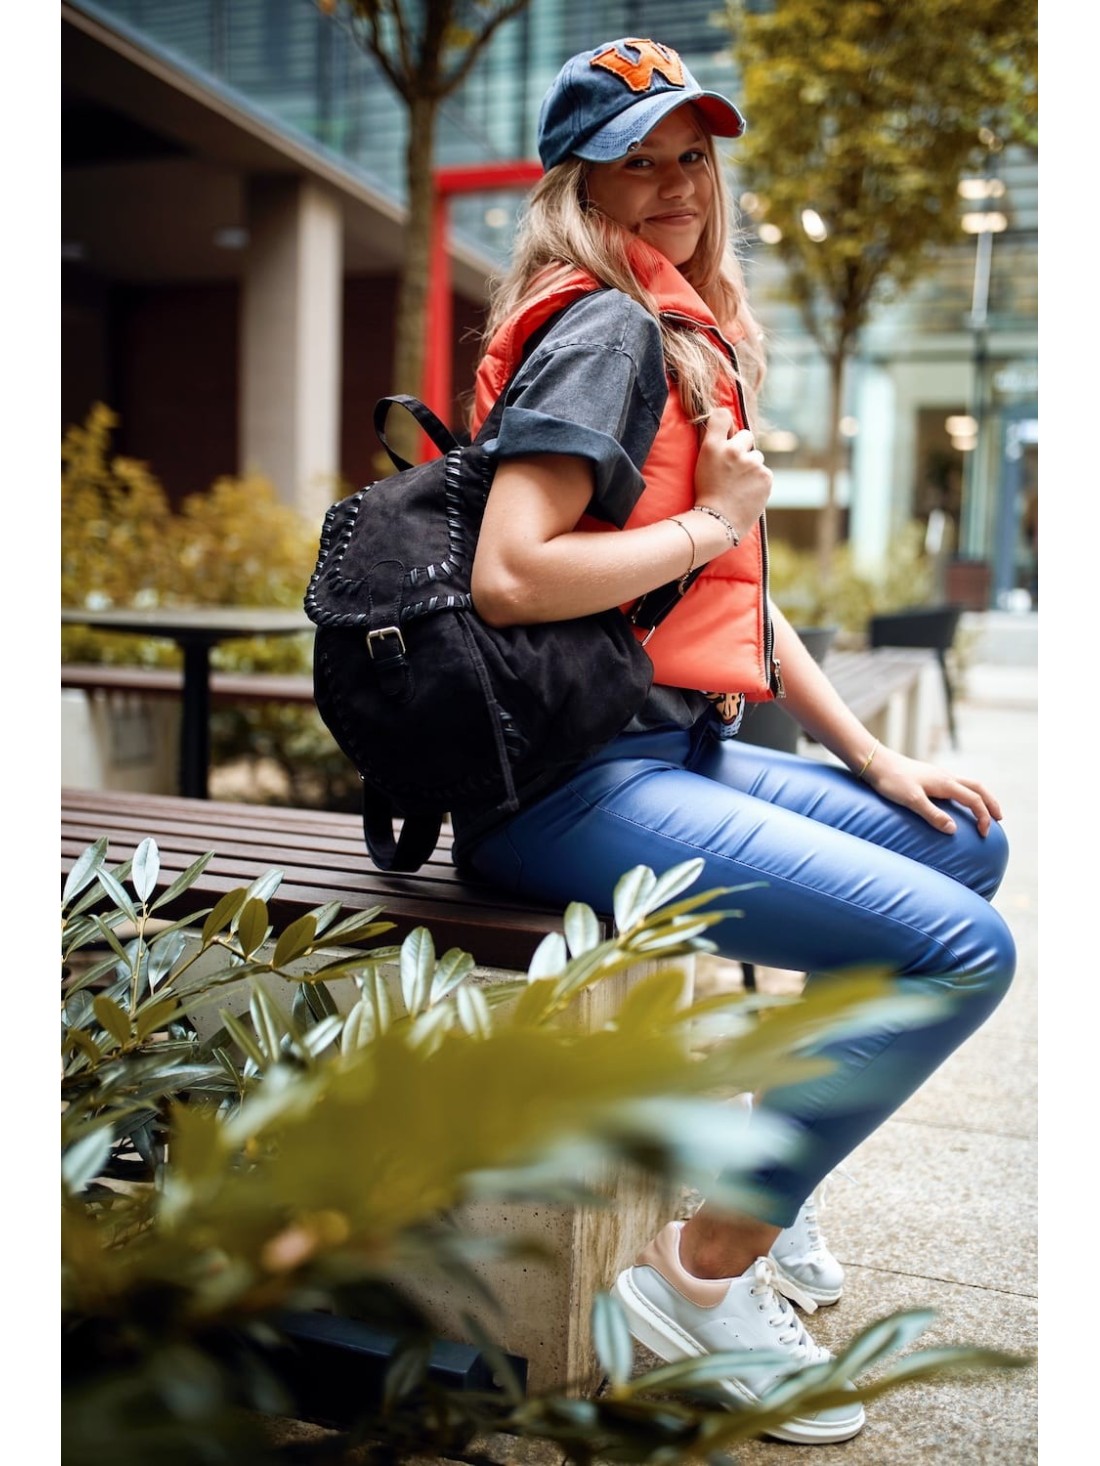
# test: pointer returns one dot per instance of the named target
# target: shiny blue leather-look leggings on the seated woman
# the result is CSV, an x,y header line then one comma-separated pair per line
x,y
850,880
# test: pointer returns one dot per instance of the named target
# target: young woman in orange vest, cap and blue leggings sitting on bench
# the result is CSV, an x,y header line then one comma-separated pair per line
x,y
626,460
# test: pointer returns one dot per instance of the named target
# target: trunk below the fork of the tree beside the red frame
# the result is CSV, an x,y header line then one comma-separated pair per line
x,y
413,287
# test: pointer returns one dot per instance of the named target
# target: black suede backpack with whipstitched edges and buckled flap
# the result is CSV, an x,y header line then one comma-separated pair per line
x,y
435,709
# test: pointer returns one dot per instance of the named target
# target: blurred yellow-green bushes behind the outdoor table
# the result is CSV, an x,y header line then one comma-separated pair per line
x,y
124,545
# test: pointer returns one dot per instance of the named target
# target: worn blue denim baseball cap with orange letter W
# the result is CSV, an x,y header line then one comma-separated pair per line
x,y
605,102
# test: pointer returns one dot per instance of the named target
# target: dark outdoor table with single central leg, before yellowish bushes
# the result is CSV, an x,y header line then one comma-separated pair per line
x,y
194,630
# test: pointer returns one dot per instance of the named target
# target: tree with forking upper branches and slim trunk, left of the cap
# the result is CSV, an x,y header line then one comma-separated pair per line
x,y
426,51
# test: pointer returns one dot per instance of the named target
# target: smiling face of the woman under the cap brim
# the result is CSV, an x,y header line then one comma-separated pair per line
x,y
664,191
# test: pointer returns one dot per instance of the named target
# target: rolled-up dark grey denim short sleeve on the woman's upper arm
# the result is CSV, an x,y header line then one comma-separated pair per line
x,y
593,388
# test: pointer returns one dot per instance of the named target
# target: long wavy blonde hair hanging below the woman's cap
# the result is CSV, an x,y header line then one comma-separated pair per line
x,y
560,232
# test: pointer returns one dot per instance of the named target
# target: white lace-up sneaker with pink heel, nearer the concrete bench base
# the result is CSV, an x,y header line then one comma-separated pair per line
x,y
683,1317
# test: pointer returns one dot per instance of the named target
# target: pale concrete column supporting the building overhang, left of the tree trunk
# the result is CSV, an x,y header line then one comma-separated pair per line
x,y
291,342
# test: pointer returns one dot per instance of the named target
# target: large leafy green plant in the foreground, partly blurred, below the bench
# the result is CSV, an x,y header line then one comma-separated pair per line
x,y
208,1190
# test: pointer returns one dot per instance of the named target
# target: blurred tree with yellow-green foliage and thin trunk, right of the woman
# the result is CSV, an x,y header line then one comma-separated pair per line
x,y
869,114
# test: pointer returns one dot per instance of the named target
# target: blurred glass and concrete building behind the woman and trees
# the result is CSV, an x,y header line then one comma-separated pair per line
x,y
232,206
